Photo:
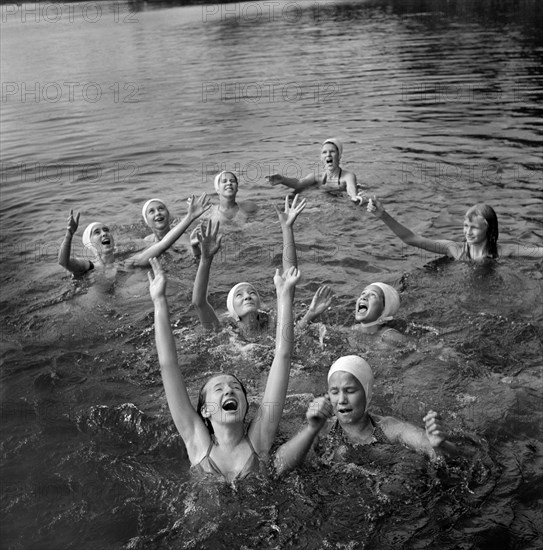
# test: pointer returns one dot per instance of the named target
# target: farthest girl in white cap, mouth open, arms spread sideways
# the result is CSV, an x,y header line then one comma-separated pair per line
x,y
333,179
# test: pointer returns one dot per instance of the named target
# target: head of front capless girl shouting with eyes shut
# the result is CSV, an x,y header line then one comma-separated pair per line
x,y
223,395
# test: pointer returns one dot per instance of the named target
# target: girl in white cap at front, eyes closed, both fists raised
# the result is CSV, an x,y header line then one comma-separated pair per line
x,y
350,388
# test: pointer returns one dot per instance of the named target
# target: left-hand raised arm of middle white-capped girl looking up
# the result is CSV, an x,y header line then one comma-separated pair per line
x,y
210,243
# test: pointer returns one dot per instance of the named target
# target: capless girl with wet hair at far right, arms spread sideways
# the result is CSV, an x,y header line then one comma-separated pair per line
x,y
480,236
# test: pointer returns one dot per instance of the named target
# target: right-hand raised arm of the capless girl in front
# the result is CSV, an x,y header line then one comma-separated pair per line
x,y
263,429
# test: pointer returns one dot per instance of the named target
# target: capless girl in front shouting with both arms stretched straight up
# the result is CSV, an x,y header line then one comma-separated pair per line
x,y
218,443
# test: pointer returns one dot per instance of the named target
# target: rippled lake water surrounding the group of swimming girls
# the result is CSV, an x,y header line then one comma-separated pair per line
x,y
105,105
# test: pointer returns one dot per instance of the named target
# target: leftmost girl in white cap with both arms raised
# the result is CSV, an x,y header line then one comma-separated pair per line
x,y
99,244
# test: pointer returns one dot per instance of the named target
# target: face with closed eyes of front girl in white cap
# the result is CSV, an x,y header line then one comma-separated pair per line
x,y
347,397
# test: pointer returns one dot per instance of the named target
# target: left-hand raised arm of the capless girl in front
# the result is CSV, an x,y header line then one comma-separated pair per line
x,y
188,423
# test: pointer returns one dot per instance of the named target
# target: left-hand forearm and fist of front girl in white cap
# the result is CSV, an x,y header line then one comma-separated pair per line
x,y
292,453
